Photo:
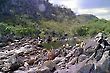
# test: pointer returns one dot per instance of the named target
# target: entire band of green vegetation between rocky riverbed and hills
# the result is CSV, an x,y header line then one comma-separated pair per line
x,y
29,27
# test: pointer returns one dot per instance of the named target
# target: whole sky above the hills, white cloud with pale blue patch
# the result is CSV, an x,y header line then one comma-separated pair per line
x,y
100,8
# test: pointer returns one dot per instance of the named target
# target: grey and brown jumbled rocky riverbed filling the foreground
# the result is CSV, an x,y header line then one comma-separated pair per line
x,y
26,56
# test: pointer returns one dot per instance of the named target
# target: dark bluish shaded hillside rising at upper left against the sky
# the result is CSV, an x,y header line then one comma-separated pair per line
x,y
36,9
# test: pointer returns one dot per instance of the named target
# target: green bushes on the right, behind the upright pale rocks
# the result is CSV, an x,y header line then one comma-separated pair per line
x,y
93,27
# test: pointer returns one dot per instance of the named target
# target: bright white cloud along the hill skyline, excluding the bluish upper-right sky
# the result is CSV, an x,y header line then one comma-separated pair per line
x,y
75,6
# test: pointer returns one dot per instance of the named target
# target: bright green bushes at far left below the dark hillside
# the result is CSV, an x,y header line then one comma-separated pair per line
x,y
6,29
